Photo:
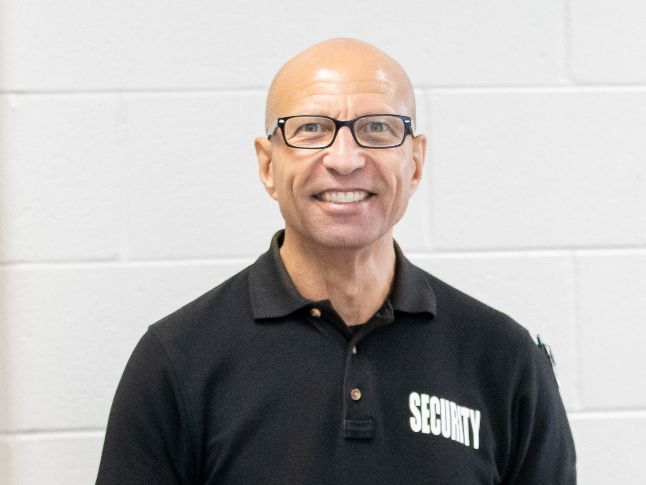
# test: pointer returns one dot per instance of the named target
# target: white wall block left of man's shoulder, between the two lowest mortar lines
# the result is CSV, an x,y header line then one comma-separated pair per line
x,y
67,332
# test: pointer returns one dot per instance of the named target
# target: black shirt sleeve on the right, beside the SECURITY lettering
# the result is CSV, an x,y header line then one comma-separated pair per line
x,y
543,449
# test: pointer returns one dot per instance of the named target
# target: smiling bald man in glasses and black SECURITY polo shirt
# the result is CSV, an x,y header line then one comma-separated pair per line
x,y
332,359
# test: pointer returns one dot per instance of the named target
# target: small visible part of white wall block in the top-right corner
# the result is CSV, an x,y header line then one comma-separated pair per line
x,y
608,41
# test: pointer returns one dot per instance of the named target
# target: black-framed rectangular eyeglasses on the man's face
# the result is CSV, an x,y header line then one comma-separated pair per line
x,y
369,131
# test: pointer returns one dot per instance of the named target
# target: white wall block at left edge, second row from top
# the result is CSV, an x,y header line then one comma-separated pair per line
x,y
60,197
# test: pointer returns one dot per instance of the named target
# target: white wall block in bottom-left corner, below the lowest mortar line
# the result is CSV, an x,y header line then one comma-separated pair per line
x,y
51,458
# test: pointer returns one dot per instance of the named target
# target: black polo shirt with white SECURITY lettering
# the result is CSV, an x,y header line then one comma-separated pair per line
x,y
253,384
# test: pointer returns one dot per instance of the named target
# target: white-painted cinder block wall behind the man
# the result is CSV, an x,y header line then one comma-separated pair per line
x,y
128,187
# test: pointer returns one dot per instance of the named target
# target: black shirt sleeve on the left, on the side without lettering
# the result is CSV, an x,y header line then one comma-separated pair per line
x,y
147,439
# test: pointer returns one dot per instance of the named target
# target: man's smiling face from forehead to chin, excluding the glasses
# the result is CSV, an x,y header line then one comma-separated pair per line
x,y
343,196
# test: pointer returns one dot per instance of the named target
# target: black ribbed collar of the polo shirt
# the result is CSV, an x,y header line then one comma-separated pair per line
x,y
274,295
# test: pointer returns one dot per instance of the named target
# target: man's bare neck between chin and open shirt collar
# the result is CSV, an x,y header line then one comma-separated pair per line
x,y
355,280
